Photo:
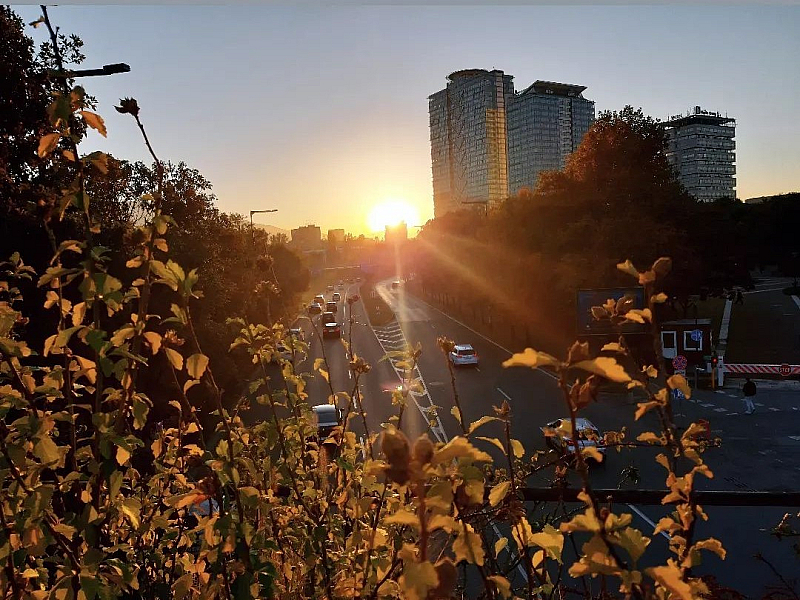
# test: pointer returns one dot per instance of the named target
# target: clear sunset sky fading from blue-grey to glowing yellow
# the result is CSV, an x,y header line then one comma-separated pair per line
x,y
321,112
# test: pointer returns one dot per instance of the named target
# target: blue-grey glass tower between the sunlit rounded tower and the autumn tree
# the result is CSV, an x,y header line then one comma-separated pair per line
x,y
546,123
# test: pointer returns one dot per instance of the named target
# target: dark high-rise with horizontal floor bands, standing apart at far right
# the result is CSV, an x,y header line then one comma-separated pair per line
x,y
701,149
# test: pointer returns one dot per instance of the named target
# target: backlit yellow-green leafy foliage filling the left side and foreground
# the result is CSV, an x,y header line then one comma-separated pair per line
x,y
114,486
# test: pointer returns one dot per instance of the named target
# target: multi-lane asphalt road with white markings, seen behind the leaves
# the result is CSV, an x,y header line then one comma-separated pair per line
x,y
535,399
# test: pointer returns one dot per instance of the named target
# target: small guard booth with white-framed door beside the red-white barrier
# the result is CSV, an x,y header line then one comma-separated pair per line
x,y
692,339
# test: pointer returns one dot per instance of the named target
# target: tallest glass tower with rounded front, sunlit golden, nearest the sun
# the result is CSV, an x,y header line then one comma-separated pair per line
x,y
468,140
